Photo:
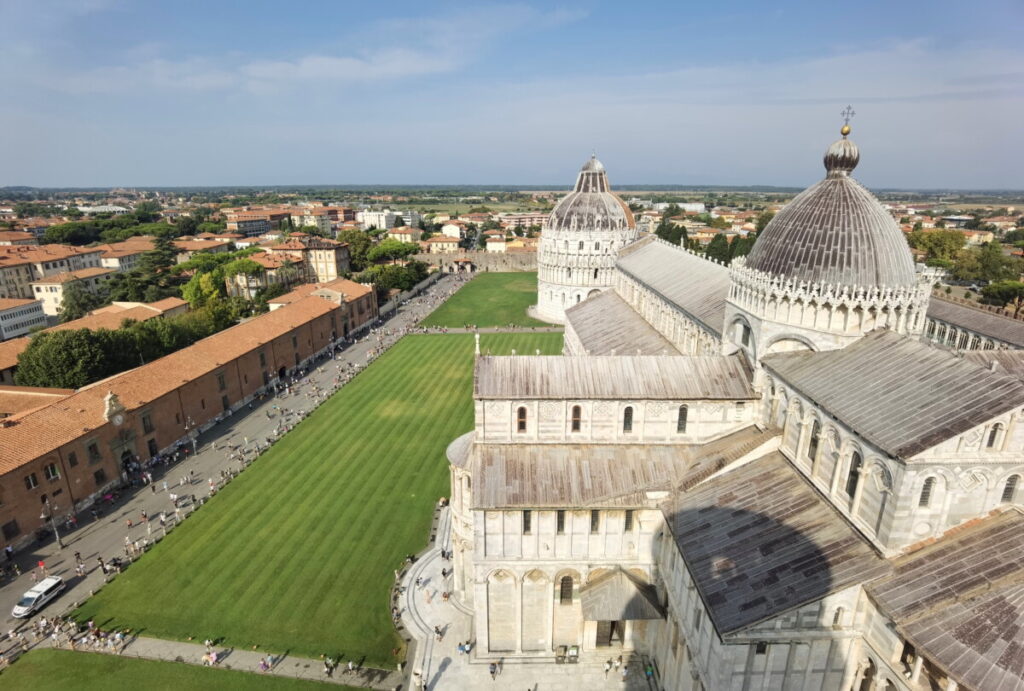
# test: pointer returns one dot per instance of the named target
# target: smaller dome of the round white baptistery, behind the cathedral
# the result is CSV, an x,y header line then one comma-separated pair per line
x,y
591,206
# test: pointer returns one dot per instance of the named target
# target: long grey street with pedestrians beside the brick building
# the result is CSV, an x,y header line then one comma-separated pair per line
x,y
106,537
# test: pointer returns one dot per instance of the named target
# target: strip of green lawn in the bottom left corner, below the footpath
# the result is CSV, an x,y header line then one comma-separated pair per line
x,y
62,670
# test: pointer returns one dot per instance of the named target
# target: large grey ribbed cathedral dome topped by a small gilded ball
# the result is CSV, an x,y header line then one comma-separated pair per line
x,y
836,233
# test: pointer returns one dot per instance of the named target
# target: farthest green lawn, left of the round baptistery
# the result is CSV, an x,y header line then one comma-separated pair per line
x,y
490,300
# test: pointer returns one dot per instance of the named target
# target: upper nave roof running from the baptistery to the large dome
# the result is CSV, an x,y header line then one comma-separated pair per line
x,y
695,285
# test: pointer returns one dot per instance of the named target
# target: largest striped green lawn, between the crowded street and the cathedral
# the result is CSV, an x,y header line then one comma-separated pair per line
x,y
297,554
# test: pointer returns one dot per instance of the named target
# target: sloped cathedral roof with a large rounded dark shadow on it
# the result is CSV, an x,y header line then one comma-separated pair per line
x,y
759,542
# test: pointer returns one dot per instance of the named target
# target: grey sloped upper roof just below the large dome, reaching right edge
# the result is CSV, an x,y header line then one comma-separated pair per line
x,y
917,396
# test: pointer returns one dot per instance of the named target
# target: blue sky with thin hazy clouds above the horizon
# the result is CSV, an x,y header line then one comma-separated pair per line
x,y
253,93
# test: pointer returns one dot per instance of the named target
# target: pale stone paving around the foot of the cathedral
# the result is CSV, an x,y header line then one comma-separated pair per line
x,y
440,664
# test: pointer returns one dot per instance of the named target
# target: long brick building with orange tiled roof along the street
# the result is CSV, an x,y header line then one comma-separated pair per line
x,y
74,448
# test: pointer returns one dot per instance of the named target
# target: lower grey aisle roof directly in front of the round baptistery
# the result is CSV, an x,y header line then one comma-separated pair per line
x,y
606,324
